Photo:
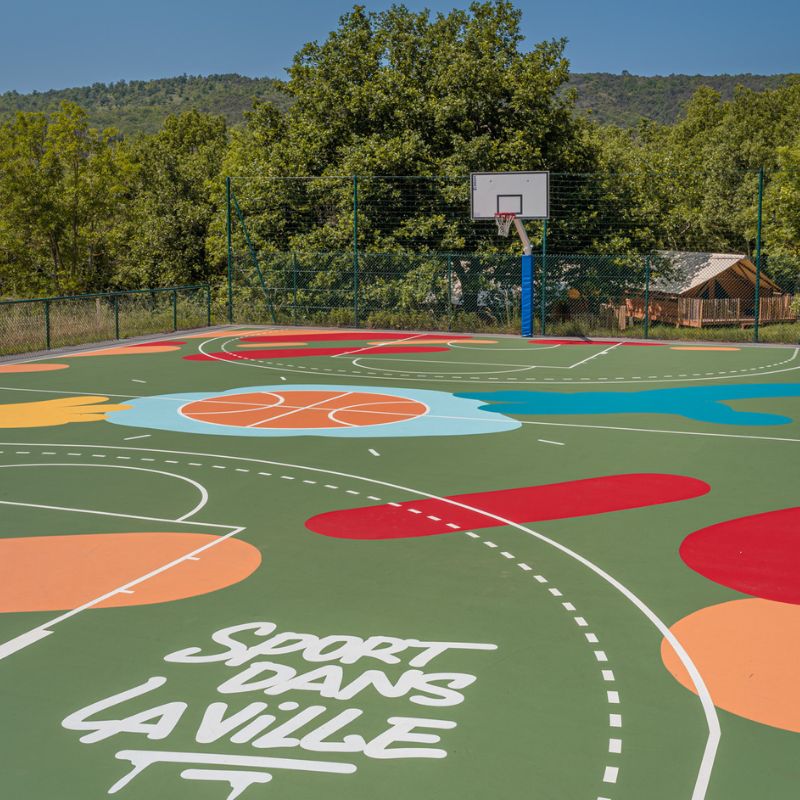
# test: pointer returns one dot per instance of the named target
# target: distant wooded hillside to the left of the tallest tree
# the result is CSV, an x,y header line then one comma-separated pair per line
x,y
141,106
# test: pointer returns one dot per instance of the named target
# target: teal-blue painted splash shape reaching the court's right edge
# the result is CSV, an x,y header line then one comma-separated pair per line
x,y
699,403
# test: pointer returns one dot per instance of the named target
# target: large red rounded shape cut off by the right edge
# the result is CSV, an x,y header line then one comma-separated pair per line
x,y
758,555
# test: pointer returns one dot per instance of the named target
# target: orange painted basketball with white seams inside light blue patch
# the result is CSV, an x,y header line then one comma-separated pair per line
x,y
299,409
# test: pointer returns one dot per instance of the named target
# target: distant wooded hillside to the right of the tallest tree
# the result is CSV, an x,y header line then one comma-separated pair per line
x,y
625,99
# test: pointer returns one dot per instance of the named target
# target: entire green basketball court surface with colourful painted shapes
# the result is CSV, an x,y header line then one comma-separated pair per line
x,y
352,564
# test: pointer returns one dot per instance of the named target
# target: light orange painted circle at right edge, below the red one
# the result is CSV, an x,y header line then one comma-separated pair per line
x,y
747,652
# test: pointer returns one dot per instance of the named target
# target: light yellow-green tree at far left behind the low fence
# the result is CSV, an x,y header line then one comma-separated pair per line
x,y
62,190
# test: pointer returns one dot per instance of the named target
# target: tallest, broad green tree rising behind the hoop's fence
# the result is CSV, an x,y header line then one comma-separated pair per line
x,y
404,93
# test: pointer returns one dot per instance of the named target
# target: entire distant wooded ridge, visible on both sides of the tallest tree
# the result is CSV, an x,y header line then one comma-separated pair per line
x,y
141,106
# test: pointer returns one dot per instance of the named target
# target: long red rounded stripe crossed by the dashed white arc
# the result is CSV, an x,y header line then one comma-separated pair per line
x,y
527,504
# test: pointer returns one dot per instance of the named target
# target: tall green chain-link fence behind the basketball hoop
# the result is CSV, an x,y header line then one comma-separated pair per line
x,y
631,255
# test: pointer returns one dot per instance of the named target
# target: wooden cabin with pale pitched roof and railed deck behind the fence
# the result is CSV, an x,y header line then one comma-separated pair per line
x,y
699,290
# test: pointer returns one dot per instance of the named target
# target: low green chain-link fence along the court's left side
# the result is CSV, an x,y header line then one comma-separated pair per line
x,y
30,325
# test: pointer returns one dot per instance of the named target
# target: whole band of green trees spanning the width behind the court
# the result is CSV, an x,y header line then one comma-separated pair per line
x,y
85,208
